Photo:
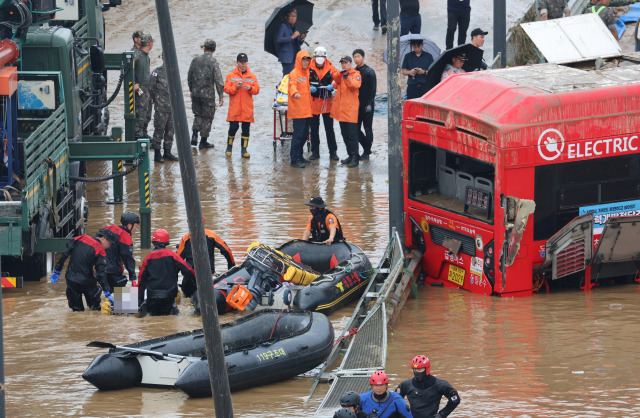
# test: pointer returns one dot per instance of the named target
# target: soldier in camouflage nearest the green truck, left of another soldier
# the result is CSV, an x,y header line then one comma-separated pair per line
x,y
142,76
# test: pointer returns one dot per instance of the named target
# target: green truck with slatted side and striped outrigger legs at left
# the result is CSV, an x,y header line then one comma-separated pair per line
x,y
53,74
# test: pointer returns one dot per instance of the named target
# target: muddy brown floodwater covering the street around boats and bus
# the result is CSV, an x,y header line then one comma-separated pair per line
x,y
565,354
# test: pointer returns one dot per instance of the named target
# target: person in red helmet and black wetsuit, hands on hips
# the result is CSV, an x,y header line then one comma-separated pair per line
x,y
425,391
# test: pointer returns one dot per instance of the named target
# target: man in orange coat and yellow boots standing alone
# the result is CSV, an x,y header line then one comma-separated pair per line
x,y
241,85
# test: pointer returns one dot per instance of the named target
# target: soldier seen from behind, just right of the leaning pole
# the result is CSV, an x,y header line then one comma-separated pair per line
x,y
204,79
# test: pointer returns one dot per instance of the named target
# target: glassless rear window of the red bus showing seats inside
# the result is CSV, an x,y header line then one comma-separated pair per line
x,y
443,179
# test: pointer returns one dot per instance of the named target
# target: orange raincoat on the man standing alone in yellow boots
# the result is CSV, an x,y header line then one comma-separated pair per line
x,y
241,99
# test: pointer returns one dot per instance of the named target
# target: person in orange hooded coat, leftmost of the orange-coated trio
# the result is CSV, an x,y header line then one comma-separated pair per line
x,y
299,108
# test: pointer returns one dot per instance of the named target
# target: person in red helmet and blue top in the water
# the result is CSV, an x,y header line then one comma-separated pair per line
x,y
381,403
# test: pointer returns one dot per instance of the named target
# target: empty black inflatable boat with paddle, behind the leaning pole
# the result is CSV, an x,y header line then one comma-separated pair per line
x,y
264,347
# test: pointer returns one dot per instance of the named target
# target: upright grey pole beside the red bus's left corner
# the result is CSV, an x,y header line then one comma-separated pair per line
x,y
394,119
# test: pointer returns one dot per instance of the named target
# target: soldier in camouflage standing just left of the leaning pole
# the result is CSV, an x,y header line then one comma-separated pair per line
x,y
162,119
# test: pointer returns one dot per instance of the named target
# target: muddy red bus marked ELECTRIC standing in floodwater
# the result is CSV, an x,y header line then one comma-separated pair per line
x,y
523,177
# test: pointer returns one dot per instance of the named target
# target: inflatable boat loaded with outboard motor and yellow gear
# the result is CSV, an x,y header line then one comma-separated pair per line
x,y
300,274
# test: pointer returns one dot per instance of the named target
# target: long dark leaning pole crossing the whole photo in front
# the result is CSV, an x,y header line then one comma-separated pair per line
x,y
210,323
